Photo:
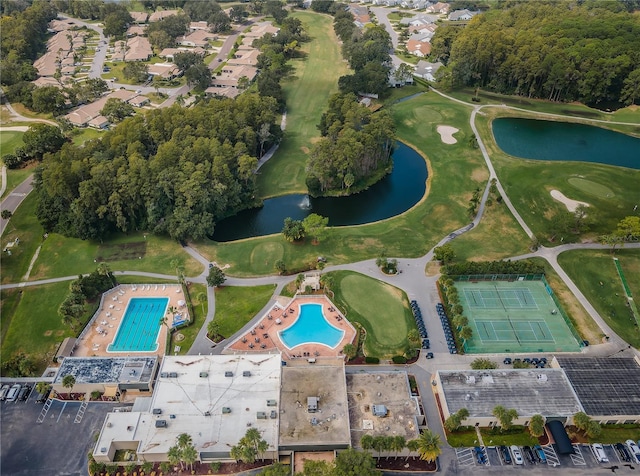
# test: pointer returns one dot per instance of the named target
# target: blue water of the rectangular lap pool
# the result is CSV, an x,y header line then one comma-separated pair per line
x,y
138,331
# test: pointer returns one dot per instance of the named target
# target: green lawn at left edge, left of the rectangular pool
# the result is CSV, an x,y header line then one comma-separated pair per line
x,y
35,327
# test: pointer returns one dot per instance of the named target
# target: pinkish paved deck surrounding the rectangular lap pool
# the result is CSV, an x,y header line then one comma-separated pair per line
x,y
109,316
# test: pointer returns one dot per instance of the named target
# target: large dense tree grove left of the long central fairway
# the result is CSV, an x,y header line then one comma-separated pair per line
x,y
173,171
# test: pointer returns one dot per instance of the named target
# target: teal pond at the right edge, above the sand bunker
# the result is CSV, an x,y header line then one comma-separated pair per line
x,y
548,140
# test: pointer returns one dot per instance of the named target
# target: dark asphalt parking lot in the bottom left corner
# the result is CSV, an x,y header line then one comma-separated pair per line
x,y
57,446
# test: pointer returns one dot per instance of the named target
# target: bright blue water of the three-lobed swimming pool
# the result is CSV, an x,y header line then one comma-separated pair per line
x,y
311,327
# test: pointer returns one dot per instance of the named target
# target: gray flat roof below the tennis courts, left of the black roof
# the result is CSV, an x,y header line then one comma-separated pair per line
x,y
529,391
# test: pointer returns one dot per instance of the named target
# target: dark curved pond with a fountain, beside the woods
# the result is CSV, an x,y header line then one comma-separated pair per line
x,y
393,195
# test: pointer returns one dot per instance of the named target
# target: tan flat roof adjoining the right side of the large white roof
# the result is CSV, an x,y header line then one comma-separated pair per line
x,y
325,379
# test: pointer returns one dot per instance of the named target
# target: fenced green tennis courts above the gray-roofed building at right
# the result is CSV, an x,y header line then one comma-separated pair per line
x,y
514,316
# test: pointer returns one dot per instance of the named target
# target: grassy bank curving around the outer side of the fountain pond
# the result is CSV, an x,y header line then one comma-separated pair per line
x,y
454,172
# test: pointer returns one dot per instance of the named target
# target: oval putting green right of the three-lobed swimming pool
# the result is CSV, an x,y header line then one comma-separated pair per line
x,y
380,304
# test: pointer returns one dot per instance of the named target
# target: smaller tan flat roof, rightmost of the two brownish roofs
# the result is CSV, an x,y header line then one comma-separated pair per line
x,y
390,389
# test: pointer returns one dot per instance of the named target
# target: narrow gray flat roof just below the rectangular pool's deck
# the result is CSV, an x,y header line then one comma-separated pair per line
x,y
107,369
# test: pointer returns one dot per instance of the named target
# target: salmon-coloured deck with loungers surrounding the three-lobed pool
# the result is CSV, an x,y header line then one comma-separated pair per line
x,y
264,336
